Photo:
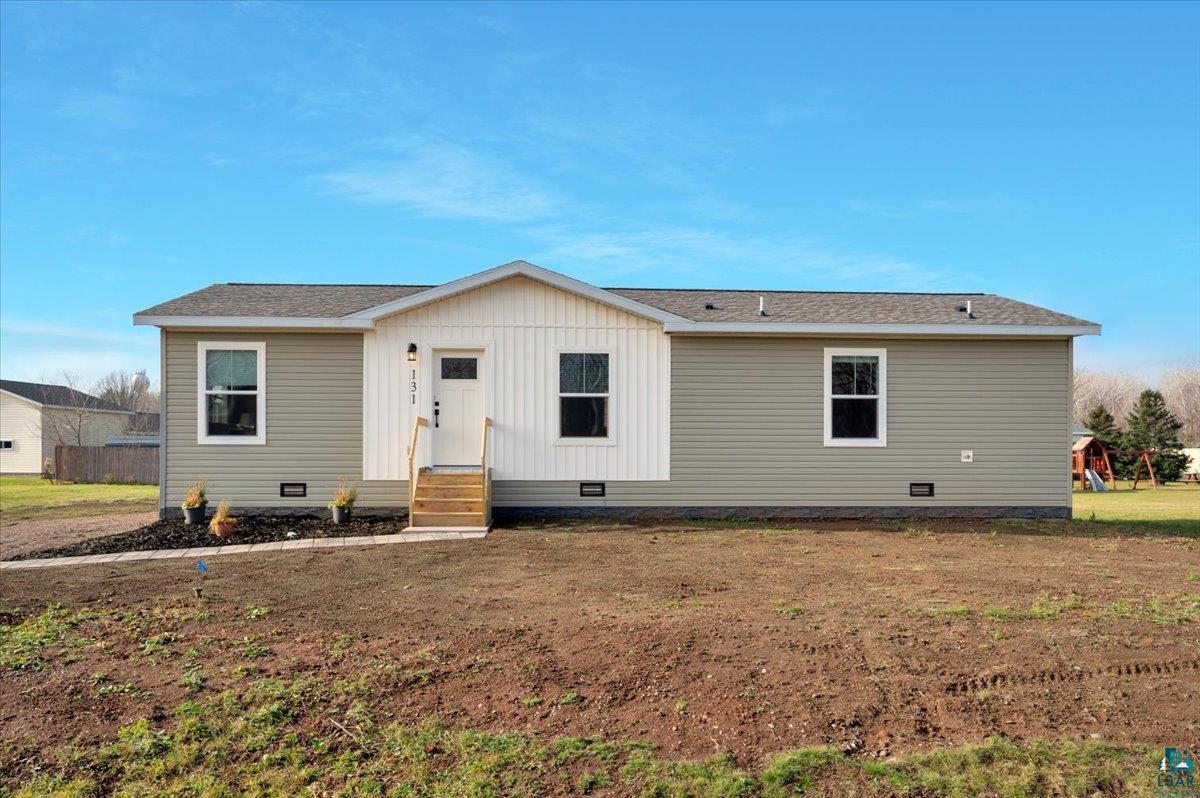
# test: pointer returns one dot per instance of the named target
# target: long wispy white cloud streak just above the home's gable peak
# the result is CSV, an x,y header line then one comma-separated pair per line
x,y
452,182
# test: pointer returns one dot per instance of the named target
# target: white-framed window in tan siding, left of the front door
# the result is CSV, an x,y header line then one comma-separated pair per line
x,y
232,393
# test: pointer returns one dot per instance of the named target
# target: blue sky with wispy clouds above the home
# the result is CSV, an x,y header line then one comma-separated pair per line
x,y
1049,153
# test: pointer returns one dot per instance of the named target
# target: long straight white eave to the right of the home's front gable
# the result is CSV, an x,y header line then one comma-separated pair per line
x,y
827,328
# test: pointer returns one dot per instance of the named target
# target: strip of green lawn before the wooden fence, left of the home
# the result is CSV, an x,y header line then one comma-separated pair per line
x,y
27,499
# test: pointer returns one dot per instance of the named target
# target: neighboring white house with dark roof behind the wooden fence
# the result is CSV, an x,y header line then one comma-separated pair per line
x,y
35,418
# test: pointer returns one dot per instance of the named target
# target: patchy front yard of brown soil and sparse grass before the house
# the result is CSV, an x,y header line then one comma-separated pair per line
x,y
837,659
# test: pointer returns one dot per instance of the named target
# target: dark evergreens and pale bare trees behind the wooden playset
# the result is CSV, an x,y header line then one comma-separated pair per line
x,y
1159,421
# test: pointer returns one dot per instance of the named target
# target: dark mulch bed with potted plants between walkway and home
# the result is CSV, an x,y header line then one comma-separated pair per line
x,y
176,533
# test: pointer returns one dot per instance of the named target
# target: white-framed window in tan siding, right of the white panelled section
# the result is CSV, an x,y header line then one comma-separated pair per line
x,y
856,409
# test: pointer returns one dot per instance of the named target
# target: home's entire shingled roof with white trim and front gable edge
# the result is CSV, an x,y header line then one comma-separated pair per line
x,y
725,311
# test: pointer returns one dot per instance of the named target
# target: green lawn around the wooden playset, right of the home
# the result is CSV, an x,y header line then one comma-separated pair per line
x,y
1173,509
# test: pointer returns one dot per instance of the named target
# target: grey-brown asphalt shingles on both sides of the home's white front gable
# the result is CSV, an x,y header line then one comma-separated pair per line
x,y
742,307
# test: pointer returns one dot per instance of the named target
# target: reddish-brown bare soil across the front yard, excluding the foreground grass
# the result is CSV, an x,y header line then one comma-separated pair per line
x,y
701,640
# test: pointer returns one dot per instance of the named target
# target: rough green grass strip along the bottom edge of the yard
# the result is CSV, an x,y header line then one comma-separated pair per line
x,y
283,737
